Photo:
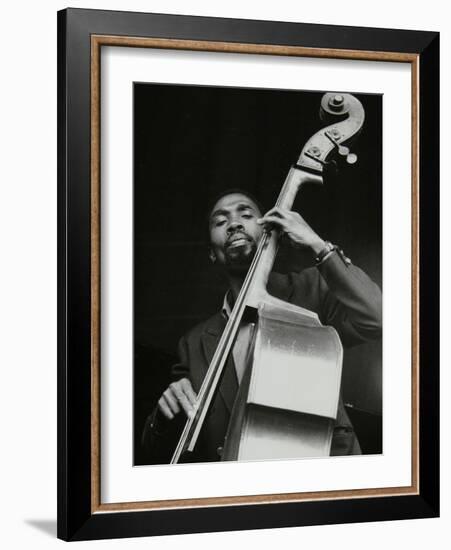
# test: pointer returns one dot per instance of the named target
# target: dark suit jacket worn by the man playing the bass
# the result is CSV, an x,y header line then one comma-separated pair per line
x,y
342,296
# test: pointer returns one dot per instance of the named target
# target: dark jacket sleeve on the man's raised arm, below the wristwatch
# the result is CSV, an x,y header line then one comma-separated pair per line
x,y
349,301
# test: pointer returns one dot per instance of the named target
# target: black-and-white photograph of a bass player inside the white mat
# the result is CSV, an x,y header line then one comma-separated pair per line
x,y
257,273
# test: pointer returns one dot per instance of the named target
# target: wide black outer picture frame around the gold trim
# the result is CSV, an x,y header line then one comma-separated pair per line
x,y
78,516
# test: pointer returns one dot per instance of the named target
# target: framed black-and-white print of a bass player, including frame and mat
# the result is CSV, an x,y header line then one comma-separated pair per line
x,y
248,265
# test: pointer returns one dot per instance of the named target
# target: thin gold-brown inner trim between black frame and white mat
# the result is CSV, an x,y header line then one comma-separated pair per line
x,y
97,41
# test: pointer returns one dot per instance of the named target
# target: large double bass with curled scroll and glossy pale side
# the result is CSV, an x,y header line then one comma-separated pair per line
x,y
288,398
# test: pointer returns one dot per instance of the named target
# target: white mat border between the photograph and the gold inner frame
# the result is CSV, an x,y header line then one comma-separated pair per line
x,y
120,481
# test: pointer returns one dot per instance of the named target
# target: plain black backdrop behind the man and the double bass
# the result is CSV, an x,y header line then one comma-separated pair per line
x,y
190,143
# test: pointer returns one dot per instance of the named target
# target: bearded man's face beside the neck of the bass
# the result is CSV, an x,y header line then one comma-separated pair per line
x,y
234,231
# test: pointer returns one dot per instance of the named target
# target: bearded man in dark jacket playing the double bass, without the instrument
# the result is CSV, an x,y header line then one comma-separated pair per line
x,y
342,295
